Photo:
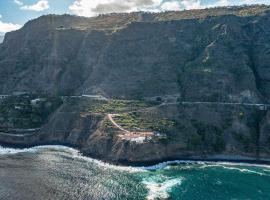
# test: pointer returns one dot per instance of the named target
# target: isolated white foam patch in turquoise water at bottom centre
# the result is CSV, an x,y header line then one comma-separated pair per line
x,y
160,186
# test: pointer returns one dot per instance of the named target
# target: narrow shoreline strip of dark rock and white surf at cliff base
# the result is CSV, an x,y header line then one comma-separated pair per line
x,y
154,163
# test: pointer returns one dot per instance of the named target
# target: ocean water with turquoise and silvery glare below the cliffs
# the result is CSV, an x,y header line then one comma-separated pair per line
x,y
58,172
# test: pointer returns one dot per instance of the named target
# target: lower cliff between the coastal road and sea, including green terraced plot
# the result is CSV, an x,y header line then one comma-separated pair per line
x,y
177,131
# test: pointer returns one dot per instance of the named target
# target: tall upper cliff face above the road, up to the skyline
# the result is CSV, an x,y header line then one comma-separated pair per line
x,y
214,56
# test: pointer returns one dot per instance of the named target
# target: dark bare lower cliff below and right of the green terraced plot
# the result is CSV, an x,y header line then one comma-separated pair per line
x,y
201,132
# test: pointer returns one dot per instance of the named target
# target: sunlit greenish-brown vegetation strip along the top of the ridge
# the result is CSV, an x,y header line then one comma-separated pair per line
x,y
113,22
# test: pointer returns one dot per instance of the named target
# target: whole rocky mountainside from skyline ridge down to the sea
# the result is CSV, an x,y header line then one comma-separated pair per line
x,y
197,83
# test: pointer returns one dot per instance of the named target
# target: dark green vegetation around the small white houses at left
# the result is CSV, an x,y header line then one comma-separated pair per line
x,y
27,111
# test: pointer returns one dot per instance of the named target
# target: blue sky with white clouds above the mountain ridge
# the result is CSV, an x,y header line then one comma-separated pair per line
x,y
15,13
